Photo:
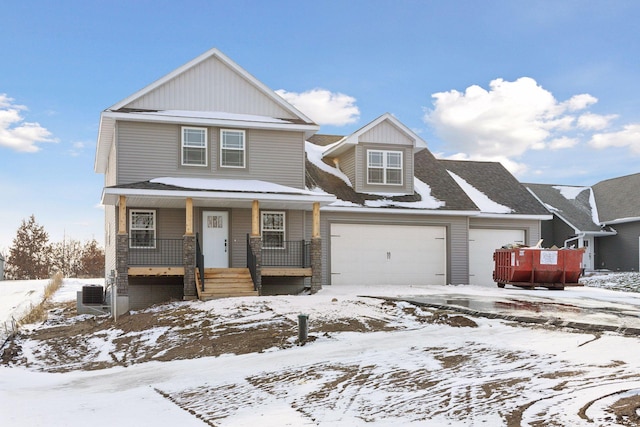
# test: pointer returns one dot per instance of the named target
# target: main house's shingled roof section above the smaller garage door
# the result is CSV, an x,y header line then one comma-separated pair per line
x,y
497,184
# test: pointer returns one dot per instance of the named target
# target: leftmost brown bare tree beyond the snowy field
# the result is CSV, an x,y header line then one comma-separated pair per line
x,y
29,256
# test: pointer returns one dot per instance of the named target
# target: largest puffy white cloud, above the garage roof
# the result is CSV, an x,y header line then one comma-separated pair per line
x,y
507,120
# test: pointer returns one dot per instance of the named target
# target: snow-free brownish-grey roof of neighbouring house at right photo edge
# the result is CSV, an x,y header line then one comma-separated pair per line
x,y
618,199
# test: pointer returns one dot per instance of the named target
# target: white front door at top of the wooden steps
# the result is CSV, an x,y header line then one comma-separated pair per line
x,y
215,239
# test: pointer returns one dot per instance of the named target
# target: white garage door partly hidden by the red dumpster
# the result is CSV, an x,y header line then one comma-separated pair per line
x,y
482,244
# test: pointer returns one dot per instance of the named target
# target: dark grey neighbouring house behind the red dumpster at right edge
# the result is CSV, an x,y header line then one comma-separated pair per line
x,y
603,219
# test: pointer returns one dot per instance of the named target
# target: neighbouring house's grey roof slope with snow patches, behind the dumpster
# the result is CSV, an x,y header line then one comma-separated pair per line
x,y
573,205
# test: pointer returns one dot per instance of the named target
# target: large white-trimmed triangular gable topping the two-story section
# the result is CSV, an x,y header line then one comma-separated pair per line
x,y
185,96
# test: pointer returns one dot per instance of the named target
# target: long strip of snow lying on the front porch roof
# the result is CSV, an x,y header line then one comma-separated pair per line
x,y
239,185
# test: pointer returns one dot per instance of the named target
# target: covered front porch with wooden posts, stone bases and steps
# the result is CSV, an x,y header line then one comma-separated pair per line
x,y
232,243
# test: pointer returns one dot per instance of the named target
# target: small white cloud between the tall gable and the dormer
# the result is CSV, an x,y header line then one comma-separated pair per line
x,y
324,107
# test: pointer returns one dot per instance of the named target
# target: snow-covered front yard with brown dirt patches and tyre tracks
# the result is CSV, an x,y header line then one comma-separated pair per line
x,y
368,362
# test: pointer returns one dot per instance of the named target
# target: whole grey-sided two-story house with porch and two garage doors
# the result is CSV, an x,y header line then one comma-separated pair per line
x,y
210,176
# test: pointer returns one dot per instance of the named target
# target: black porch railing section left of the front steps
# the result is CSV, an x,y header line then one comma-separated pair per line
x,y
165,252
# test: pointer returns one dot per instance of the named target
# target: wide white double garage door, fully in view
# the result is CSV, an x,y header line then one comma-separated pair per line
x,y
387,255
